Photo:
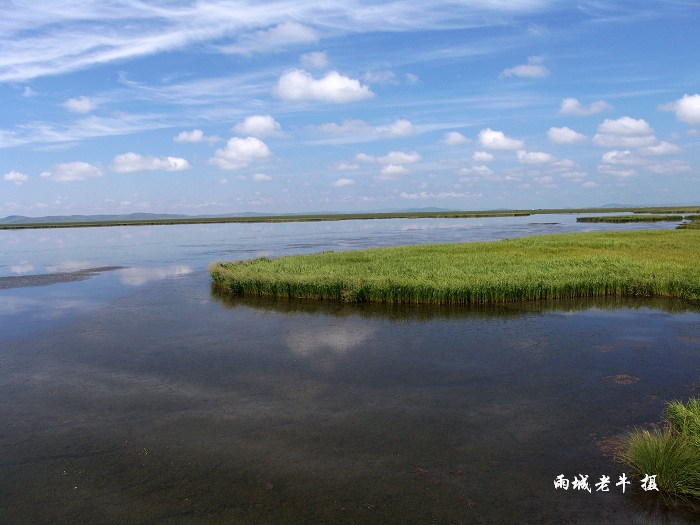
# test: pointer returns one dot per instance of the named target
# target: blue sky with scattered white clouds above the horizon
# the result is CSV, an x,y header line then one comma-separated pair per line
x,y
285,106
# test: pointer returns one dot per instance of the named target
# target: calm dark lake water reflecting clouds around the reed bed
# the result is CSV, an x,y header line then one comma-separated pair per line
x,y
137,395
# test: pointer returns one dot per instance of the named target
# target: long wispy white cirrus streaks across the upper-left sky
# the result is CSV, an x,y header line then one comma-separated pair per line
x,y
52,38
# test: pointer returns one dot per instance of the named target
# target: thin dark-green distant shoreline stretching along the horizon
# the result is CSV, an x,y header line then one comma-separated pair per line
x,y
343,217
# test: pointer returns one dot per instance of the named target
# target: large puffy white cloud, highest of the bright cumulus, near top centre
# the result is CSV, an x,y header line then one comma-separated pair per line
x,y
334,87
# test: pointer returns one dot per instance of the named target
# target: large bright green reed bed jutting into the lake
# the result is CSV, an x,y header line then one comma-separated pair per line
x,y
635,263
